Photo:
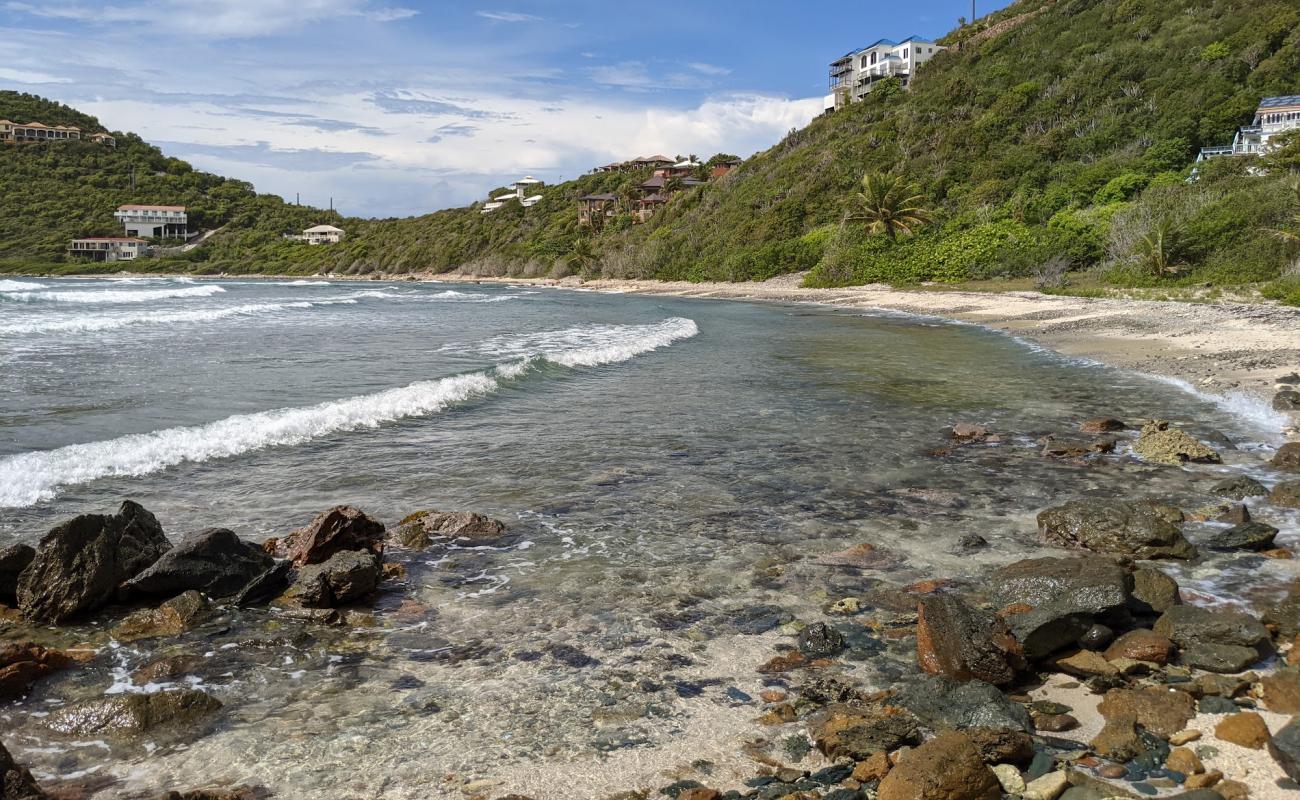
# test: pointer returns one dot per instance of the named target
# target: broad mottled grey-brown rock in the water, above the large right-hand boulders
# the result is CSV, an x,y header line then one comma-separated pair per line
x,y
1126,529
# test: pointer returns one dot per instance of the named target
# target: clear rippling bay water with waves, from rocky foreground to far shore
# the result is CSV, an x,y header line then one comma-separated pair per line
x,y
665,465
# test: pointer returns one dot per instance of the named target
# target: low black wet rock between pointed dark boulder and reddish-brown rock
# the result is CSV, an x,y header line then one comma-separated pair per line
x,y
215,563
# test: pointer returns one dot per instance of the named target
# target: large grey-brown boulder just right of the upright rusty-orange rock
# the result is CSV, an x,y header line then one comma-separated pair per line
x,y
1059,600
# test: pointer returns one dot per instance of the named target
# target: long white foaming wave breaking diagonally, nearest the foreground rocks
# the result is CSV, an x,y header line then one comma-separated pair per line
x,y
32,478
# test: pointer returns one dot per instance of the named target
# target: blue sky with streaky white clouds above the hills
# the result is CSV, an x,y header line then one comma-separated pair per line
x,y
404,107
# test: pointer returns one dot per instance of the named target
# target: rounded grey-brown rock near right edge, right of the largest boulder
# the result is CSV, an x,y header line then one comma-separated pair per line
x,y
1217,642
